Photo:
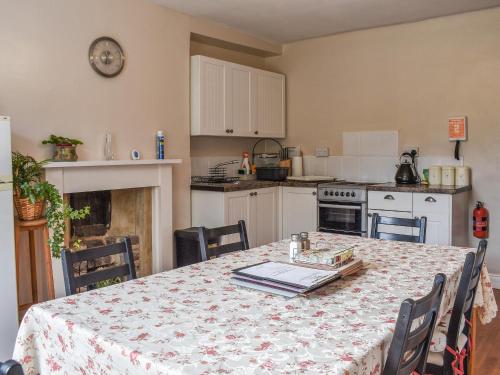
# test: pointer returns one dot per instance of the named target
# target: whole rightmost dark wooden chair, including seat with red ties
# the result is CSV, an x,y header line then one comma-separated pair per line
x,y
458,327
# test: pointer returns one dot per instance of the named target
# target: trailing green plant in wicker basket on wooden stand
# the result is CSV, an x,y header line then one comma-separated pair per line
x,y
32,195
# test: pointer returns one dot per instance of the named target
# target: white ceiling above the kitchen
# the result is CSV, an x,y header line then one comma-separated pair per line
x,y
284,21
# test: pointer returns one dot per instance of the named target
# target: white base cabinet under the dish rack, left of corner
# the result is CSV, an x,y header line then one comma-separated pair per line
x,y
258,207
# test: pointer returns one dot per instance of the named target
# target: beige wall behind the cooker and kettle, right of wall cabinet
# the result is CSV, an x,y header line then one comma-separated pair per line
x,y
411,78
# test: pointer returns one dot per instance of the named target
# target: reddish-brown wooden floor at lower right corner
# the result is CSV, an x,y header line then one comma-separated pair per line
x,y
488,346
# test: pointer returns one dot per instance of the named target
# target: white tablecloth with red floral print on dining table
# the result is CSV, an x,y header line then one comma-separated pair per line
x,y
194,321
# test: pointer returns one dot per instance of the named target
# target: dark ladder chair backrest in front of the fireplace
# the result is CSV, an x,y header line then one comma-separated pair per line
x,y
89,279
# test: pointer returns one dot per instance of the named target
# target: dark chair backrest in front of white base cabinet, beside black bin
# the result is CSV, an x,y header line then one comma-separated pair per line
x,y
216,250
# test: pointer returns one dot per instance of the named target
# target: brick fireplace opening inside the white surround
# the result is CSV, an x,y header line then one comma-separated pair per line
x,y
114,214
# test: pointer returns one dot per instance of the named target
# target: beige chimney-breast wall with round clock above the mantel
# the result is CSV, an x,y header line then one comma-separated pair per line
x,y
47,85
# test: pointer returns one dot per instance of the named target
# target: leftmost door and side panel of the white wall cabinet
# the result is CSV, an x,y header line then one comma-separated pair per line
x,y
208,92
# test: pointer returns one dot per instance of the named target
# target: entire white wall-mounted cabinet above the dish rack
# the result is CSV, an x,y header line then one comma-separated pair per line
x,y
235,100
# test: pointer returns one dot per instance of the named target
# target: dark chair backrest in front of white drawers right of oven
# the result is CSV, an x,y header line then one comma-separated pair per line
x,y
420,223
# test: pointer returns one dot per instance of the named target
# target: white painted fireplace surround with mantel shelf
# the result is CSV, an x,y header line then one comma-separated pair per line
x,y
84,176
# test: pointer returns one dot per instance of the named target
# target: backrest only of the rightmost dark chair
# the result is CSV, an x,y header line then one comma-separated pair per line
x,y
464,301
